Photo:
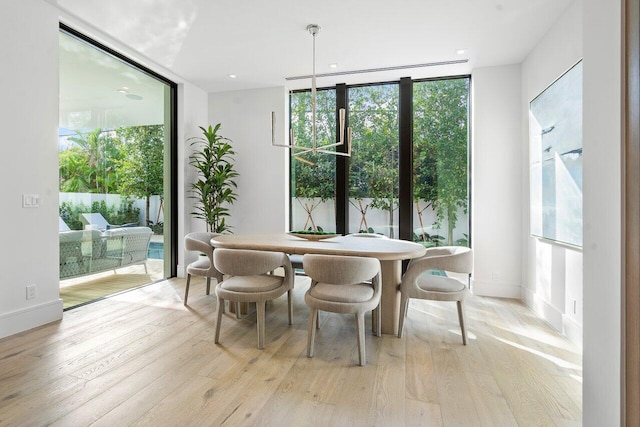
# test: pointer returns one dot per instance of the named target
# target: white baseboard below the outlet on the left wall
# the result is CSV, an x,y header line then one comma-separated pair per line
x,y
30,317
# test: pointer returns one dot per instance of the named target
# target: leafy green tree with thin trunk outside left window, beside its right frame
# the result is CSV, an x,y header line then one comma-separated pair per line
x,y
141,165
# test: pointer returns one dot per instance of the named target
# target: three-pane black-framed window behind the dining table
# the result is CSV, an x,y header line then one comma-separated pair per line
x,y
435,176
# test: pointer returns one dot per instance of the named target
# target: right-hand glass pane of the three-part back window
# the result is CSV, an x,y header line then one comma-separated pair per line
x,y
440,162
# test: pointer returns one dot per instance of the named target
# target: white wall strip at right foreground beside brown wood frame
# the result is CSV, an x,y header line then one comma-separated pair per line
x,y
602,213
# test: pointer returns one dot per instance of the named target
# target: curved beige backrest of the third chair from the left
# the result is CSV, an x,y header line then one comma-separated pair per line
x,y
340,270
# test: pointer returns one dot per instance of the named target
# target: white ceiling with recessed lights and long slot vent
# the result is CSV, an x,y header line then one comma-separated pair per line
x,y
262,42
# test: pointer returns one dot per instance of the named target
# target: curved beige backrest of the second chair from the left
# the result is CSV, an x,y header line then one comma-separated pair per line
x,y
243,262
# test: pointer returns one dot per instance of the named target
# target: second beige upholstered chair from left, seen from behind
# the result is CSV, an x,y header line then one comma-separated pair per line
x,y
249,281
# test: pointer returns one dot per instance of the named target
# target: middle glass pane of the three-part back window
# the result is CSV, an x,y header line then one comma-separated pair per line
x,y
373,173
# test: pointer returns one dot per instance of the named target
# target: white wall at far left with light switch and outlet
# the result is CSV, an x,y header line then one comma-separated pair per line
x,y
29,117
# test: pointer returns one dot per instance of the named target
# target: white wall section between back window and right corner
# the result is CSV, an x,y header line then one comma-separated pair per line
x,y
496,212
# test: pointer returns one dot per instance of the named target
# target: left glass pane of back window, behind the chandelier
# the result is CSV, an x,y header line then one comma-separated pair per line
x,y
313,175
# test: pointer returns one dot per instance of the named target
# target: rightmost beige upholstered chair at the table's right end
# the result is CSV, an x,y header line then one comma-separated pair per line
x,y
417,282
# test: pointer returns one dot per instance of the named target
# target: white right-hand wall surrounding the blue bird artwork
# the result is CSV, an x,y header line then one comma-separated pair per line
x,y
553,273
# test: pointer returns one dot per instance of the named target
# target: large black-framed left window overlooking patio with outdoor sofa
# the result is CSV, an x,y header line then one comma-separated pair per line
x,y
116,145
